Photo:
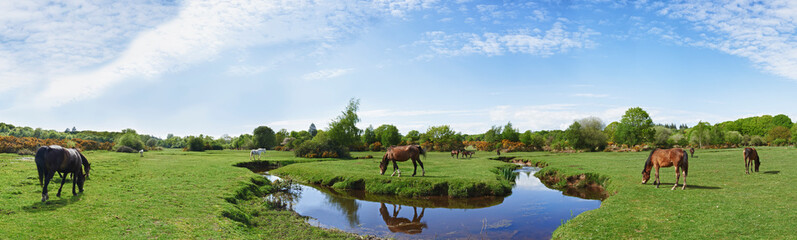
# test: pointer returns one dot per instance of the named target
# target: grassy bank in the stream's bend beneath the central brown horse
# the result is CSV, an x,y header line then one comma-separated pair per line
x,y
445,176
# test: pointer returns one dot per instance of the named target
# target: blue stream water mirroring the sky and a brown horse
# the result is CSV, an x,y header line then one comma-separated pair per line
x,y
532,212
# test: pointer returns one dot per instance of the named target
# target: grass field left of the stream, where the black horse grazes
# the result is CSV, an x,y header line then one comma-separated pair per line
x,y
168,194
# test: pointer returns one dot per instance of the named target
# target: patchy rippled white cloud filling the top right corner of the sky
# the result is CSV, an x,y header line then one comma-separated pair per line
x,y
761,31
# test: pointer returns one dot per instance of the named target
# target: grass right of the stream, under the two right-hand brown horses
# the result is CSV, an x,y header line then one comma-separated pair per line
x,y
720,201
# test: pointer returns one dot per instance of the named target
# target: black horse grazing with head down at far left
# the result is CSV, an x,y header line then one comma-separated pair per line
x,y
52,159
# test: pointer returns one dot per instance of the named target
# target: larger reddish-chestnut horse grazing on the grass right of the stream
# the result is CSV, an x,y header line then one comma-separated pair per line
x,y
666,158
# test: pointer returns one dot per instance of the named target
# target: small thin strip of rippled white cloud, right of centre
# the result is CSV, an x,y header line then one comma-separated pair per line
x,y
523,41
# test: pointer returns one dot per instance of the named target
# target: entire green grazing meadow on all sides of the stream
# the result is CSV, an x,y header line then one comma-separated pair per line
x,y
187,195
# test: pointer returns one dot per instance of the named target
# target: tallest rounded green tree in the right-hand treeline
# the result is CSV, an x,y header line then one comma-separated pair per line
x,y
635,127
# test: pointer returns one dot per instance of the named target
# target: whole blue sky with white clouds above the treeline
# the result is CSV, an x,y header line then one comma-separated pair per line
x,y
204,67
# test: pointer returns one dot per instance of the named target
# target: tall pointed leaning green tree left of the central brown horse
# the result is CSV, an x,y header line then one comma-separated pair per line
x,y
343,130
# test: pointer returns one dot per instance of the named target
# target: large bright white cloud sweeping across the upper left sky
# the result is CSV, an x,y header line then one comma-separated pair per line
x,y
201,31
